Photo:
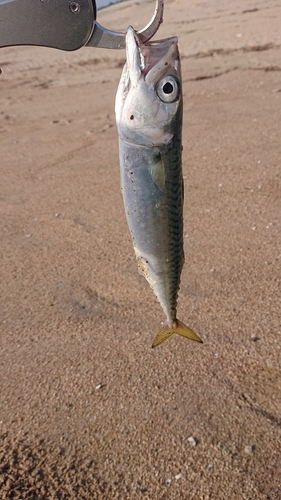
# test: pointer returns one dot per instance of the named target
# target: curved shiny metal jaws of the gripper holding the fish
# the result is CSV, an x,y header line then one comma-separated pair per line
x,y
104,38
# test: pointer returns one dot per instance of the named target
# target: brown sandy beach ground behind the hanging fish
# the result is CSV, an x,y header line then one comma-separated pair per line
x,y
88,410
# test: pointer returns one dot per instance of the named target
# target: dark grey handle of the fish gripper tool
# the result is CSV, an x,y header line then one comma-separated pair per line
x,y
61,24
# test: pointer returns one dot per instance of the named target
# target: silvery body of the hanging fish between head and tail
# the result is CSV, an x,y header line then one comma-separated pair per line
x,y
155,214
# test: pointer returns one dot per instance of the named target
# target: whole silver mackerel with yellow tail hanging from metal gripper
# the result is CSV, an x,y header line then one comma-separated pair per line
x,y
149,110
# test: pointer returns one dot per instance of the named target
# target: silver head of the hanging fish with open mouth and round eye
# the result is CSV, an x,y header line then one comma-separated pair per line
x,y
149,100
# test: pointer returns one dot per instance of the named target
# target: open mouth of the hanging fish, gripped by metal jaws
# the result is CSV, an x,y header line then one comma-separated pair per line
x,y
145,61
